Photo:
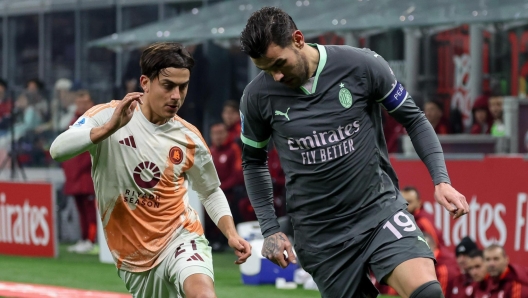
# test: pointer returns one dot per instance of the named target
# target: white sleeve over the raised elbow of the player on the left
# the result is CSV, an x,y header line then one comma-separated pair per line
x,y
70,143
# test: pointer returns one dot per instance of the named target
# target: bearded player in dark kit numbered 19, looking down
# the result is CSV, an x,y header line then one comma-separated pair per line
x,y
321,107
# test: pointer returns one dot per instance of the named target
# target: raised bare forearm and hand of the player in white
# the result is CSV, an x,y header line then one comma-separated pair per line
x,y
122,115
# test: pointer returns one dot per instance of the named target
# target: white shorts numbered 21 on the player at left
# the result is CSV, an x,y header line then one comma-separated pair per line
x,y
191,256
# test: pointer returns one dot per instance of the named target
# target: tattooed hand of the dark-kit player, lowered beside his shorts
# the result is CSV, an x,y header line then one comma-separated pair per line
x,y
274,247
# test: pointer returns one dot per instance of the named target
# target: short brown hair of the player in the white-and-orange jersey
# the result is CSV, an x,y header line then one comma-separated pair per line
x,y
162,55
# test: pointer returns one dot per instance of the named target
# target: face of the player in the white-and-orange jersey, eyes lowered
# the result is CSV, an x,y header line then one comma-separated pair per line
x,y
167,91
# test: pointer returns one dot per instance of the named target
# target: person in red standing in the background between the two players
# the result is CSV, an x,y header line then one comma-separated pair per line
x,y
227,158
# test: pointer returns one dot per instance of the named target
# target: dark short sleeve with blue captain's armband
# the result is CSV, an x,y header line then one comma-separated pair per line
x,y
384,87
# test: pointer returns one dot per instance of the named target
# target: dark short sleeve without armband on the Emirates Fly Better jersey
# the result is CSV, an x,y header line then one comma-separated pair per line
x,y
255,131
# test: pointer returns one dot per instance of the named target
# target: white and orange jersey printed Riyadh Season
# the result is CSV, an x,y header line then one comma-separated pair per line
x,y
141,174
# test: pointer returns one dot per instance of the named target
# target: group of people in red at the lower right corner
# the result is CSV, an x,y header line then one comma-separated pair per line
x,y
469,271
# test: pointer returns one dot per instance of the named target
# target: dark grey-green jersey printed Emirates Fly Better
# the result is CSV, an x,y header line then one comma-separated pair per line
x,y
330,141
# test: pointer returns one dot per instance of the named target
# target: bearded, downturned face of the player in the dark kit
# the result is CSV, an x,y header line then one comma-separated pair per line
x,y
287,65
